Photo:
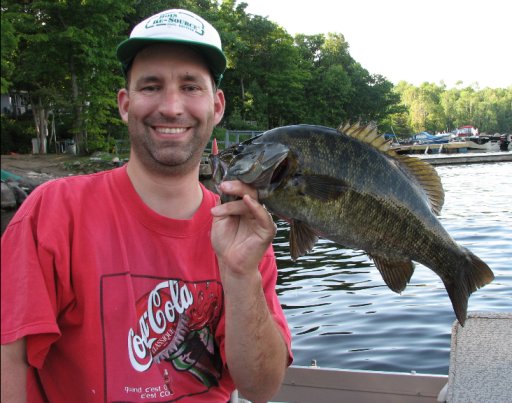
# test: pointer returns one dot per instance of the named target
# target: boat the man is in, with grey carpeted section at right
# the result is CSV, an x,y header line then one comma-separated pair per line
x,y
481,347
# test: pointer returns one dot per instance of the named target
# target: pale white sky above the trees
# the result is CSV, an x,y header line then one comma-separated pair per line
x,y
415,41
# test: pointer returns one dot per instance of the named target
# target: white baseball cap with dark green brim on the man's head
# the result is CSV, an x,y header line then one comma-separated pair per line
x,y
178,26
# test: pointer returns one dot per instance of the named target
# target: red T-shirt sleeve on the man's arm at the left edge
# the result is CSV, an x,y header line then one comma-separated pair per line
x,y
29,299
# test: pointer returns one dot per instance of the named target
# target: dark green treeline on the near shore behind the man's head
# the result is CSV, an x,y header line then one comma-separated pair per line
x,y
63,55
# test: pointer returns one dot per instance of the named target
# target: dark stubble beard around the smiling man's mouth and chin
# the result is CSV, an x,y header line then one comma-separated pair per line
x,y
169,157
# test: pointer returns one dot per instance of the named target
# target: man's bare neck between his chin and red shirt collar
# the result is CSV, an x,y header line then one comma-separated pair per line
x,y
177,197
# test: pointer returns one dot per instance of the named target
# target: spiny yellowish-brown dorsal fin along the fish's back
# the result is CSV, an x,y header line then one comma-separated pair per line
x,y
424,173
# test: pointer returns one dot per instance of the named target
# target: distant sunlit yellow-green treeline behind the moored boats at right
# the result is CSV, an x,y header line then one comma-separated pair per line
x,y
434,108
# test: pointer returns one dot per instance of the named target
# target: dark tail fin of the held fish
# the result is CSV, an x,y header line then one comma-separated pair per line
x,y
474,274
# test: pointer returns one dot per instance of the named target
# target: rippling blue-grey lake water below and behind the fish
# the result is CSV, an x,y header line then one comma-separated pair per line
x,y
342,314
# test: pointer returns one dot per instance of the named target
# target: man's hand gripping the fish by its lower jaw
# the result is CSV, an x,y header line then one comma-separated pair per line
x,y
242,230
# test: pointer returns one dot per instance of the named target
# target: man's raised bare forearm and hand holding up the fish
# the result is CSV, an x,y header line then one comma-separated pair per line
x,y
256,352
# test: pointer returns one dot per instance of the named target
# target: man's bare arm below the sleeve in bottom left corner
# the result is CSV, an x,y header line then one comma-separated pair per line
x,y
14,371
